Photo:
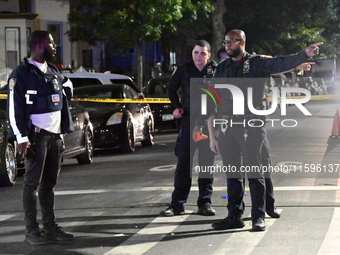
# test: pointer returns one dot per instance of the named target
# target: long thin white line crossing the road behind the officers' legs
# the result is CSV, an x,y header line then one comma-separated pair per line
x,y
170,188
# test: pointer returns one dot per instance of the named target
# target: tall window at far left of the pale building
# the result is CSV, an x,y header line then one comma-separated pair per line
x,y
12,47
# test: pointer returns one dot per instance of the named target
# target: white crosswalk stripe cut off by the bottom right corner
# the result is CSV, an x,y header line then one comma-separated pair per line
x,y
331,244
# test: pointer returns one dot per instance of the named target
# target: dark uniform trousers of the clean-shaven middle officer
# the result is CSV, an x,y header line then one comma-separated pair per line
x,y
185,151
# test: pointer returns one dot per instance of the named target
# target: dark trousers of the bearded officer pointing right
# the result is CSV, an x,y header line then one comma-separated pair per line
x,y
238,152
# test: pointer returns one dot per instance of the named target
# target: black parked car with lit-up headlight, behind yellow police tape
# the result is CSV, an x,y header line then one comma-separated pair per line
x,y
117,125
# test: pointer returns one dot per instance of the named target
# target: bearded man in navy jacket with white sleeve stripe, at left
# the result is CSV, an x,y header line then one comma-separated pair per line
x,y
38,114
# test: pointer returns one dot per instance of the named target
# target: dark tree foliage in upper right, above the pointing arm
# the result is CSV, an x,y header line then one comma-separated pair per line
x,y
282,27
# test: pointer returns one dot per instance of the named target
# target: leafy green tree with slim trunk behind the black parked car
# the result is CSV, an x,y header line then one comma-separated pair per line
x,y
128,23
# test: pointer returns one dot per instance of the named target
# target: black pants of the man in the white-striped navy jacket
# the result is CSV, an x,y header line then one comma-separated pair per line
x,y
42,165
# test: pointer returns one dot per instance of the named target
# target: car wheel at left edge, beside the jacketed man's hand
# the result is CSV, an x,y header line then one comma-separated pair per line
x,y
9,167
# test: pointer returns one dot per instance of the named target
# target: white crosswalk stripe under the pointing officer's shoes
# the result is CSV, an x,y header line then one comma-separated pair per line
x,y
248,240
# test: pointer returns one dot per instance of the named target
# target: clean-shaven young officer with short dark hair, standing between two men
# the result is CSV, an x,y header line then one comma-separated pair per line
x,y
185,146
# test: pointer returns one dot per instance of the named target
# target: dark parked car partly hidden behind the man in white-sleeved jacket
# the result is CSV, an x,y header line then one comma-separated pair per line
x,y
78,144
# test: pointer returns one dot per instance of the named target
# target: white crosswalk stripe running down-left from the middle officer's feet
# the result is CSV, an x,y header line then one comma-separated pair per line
x,y
149,236
